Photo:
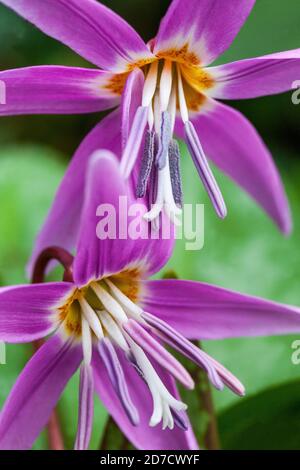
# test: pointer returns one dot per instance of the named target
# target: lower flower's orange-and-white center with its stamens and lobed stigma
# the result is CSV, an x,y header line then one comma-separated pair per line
x,y
104,315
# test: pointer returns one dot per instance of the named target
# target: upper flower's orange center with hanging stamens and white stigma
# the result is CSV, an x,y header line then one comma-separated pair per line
x,y
172,86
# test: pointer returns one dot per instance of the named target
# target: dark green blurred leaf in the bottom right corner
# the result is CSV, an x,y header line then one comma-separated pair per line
x,y
267,421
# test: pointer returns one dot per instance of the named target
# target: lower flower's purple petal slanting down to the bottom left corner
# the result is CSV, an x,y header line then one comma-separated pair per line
x,y
36,392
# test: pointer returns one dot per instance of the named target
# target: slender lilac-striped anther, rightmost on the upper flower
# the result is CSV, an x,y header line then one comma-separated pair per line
x,y
204,170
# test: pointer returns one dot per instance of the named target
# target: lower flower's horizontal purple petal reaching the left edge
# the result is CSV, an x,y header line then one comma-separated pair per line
x,y
25,311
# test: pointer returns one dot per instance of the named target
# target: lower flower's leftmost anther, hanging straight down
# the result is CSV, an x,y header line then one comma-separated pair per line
x,y
86,408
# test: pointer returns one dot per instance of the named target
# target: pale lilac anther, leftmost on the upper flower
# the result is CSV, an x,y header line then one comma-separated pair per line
x,y
134,141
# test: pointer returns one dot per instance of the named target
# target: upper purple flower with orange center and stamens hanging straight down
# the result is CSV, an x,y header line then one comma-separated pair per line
x,y
179,92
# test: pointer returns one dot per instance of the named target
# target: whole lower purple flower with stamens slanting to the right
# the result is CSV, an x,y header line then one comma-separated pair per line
x,y
112,322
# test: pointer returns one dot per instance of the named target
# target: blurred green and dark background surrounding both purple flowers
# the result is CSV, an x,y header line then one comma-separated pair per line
x,y
245,252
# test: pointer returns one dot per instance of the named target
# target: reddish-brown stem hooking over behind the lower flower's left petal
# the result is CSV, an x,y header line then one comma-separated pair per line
x,y
55,437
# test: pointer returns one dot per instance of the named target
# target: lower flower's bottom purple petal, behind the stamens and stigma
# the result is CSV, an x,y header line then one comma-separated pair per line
x,y
142,436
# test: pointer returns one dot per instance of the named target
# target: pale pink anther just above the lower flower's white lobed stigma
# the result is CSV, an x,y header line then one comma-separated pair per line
x,y
159,353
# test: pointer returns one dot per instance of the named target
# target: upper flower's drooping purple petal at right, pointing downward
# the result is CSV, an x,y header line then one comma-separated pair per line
x,y
234,145
